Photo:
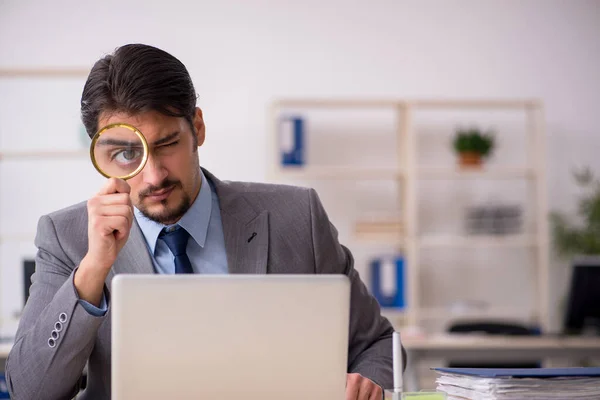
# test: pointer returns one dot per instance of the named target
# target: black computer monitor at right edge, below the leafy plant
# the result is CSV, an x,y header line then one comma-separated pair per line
x,y
583,306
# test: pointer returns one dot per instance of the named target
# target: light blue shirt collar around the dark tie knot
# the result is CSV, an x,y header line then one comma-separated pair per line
x,y
194,221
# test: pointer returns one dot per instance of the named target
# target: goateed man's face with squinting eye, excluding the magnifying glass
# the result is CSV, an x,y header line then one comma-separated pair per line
x,y
165,189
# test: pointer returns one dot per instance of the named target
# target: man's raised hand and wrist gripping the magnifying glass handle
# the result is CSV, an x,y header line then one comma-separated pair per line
x,y
110,216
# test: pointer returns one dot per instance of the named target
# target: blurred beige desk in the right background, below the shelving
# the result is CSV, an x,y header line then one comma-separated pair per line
x,y
473,347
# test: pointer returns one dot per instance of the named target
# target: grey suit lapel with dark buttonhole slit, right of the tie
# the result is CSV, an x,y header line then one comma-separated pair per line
x,y
245,229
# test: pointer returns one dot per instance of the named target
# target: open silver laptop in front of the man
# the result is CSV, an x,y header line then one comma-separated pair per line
x,y
230,337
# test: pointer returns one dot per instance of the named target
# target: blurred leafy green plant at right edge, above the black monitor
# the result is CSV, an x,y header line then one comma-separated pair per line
x,y
582,239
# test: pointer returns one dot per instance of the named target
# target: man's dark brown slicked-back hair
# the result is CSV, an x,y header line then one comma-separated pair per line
x,y
137,78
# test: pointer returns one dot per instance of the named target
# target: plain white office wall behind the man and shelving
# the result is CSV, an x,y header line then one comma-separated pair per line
x,y
243,54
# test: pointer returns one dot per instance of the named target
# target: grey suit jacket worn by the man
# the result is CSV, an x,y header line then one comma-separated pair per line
x,y
294,235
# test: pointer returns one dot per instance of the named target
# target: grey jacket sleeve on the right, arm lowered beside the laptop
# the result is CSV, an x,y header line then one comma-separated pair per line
x,y
370,336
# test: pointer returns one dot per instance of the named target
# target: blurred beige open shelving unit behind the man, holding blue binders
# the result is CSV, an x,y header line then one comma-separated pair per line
x,y
405,232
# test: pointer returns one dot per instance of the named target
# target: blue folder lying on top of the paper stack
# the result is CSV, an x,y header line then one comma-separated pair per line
x,y
523,372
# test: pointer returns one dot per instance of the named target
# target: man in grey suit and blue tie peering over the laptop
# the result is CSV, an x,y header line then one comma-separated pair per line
x,y
131,226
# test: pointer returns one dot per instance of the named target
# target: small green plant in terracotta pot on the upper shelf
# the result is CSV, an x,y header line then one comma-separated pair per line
x,y
472,145
